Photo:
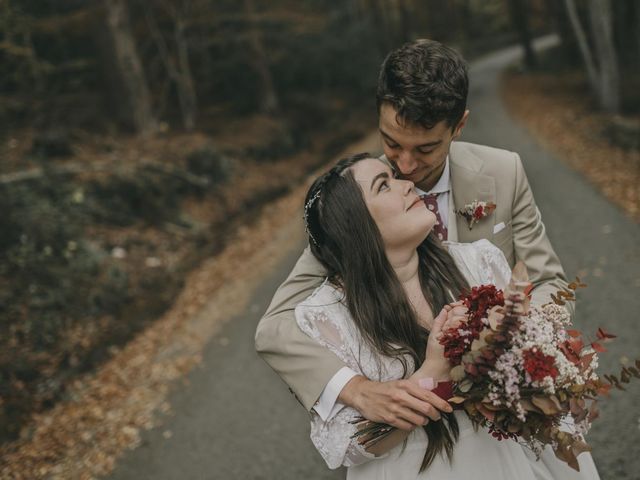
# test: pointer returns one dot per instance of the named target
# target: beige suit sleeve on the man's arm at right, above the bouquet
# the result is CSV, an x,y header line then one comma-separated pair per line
x,y
532,245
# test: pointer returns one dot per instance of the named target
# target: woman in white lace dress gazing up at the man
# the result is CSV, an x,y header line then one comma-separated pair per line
x,y
387,296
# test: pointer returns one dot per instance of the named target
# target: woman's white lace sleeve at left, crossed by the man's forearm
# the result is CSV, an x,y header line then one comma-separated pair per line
x,y
328,324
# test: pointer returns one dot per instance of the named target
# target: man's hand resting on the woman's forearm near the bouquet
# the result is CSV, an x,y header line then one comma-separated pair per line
x,y
400,403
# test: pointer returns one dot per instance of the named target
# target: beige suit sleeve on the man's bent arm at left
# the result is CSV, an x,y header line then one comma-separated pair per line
x,y
303,364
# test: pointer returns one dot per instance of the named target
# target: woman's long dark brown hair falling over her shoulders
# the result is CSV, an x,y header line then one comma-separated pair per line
x,y
345,239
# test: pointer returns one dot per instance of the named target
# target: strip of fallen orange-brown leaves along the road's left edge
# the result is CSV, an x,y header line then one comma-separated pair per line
x,y
104,413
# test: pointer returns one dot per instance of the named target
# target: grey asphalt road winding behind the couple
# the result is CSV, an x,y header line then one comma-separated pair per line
x,y
236,420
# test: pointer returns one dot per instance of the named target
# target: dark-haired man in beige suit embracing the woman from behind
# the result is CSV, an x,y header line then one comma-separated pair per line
x,y
421,98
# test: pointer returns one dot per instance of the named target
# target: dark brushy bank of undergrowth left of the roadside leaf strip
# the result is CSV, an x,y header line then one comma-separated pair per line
x,y
95,247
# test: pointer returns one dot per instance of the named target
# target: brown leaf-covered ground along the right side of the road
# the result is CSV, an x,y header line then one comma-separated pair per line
x,y
553,107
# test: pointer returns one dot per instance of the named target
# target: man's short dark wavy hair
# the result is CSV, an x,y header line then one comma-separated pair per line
x,y
425,82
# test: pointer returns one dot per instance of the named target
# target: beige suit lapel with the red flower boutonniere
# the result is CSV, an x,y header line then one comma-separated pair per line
x,y
467,185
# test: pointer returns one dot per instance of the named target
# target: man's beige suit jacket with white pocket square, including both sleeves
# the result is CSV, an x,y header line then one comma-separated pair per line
x,y
477,173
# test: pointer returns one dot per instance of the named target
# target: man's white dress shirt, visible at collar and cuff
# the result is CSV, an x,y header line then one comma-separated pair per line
x,y
327,405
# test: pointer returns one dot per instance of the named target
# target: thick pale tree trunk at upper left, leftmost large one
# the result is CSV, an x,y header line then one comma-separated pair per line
x,y
129,67
